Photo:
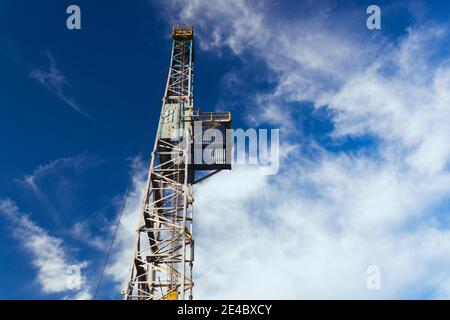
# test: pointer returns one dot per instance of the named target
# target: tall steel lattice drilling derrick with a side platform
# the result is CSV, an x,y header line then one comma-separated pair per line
x,y
164,249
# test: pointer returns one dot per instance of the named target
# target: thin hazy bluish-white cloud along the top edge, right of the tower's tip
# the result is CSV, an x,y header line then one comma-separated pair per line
x,y
311,55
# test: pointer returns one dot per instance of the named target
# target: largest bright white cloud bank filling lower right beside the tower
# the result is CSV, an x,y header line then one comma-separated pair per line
x,y
312,231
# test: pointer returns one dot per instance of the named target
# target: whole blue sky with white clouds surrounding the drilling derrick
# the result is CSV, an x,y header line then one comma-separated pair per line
x,y
364,175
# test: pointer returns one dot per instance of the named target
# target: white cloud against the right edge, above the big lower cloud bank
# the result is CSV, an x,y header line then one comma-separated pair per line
x,y
407,109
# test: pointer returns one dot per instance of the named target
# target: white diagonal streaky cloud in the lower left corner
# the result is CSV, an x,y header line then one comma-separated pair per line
x,y
48,255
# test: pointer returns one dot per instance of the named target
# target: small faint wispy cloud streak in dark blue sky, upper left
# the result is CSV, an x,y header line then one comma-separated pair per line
x,y
55,82
